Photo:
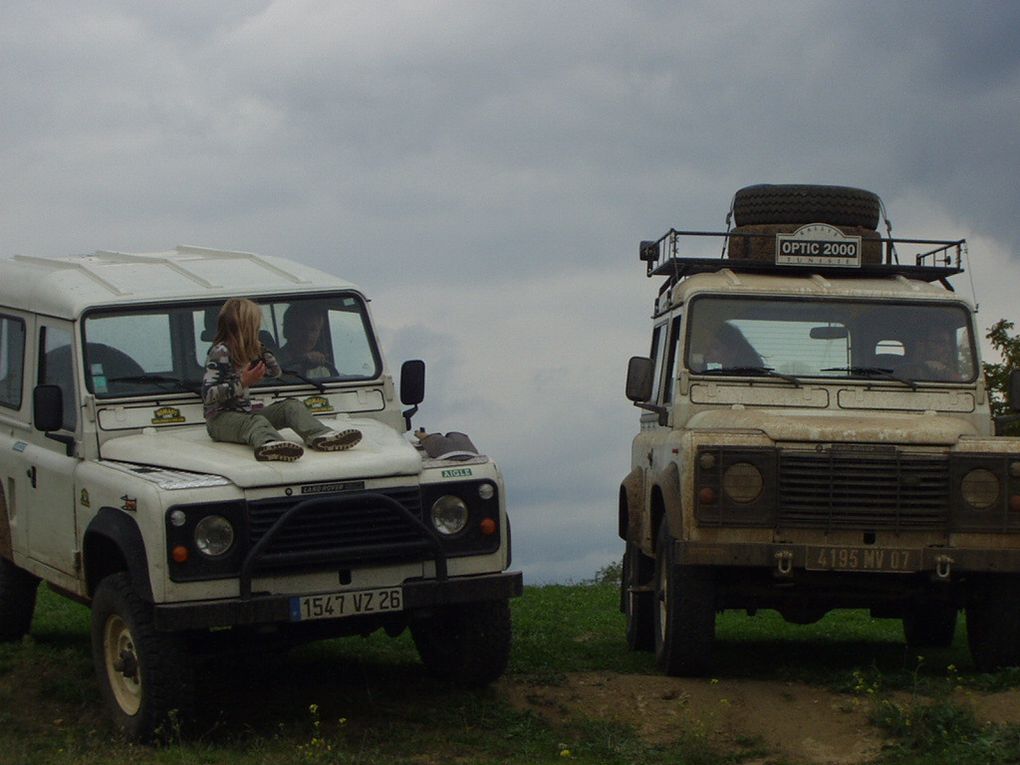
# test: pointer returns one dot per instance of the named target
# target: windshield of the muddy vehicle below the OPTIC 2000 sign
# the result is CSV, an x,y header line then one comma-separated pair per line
x,y
810,338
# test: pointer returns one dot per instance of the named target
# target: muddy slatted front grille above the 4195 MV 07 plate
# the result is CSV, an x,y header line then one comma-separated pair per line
x,y
863,491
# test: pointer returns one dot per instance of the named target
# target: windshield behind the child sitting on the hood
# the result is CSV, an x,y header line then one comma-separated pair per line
x,y
152,350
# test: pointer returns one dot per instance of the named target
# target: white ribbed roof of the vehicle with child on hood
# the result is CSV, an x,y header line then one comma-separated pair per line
x,y
66,287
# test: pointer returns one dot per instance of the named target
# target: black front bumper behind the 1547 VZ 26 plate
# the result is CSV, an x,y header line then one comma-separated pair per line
x,y
271,609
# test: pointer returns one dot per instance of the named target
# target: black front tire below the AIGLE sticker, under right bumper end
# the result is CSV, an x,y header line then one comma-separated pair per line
x,y
469,644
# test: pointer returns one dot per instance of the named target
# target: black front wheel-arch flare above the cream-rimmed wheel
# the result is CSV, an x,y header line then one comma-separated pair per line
x,y
114,543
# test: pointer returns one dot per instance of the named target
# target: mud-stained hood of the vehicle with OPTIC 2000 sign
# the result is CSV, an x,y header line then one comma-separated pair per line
x,y
832,427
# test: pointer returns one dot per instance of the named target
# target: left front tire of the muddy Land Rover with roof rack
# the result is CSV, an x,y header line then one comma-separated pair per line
x,y
685,614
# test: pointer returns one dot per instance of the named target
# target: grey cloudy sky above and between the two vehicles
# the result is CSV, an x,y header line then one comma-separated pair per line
x,y
486,171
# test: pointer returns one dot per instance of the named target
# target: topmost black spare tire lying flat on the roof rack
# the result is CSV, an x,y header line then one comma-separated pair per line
x,y
793,203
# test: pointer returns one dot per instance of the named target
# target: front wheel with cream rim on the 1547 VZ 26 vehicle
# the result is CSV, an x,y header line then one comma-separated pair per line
x,y
146,678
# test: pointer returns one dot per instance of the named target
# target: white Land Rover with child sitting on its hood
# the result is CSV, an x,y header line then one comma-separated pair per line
x,y
114,494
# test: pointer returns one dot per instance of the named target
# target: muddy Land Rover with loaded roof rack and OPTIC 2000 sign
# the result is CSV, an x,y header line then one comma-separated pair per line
x,y
817,435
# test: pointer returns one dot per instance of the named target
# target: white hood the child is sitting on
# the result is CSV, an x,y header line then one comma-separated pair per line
x,y
382,452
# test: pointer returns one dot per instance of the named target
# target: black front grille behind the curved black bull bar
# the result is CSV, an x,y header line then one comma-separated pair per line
x,y
342,529
